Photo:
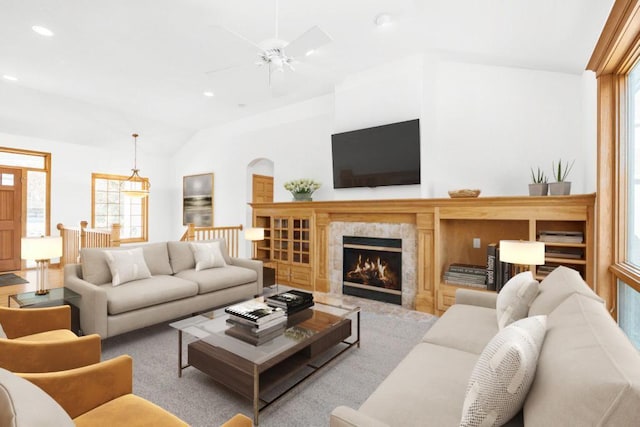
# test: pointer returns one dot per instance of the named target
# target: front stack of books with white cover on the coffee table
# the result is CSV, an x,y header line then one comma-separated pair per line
x,y
255,322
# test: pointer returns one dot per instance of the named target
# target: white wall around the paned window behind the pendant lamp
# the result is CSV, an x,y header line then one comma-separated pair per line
x,y
71,168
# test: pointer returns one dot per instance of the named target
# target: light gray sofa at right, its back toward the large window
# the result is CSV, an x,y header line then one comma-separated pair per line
x,y
588,372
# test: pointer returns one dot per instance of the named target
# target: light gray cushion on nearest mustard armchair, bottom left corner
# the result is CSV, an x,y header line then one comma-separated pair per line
x,y
25,404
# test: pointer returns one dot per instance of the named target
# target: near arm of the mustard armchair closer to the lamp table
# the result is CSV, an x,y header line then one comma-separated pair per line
x,y
49,356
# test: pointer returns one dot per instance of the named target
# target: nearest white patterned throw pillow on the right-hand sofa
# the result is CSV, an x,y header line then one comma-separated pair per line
x,y
503,374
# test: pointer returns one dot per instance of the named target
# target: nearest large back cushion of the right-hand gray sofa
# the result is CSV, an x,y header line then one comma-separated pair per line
x,y
587,364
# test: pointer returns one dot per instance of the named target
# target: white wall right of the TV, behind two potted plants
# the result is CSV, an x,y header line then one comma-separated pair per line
x,y
495,123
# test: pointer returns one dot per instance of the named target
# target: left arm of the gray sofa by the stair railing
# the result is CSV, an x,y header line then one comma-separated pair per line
x,y
92,305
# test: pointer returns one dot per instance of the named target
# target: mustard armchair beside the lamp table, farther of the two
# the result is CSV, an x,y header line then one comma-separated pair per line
x,y
40,340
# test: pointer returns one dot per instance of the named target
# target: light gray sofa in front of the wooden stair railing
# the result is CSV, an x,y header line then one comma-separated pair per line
x,y
174,289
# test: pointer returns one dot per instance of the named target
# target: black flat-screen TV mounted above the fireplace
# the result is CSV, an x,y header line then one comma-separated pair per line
x,y
377,156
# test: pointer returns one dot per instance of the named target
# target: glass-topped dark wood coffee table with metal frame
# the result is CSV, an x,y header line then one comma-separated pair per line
x,y
266,372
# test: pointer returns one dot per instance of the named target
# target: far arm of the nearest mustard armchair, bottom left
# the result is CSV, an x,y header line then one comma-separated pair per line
x,y
83,389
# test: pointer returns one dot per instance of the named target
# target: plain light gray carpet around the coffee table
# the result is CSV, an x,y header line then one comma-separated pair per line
x,y
348,380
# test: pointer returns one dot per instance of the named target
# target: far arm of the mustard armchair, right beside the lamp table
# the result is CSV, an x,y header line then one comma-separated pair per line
x,y
18,323
